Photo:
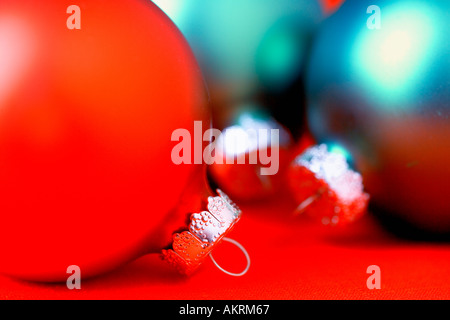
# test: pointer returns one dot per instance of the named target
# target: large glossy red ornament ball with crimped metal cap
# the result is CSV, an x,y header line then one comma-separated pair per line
x,y
90,96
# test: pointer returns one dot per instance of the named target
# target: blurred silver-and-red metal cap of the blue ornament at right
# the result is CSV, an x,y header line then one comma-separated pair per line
x,y
326,188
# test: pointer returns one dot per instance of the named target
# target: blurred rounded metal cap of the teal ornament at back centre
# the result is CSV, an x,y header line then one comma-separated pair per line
x,y
252,155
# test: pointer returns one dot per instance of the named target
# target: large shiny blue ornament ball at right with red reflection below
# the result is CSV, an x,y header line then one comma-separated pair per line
x,y
378,84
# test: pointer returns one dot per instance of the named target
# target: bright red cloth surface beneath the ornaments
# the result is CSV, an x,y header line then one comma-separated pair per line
x,y
291,258
